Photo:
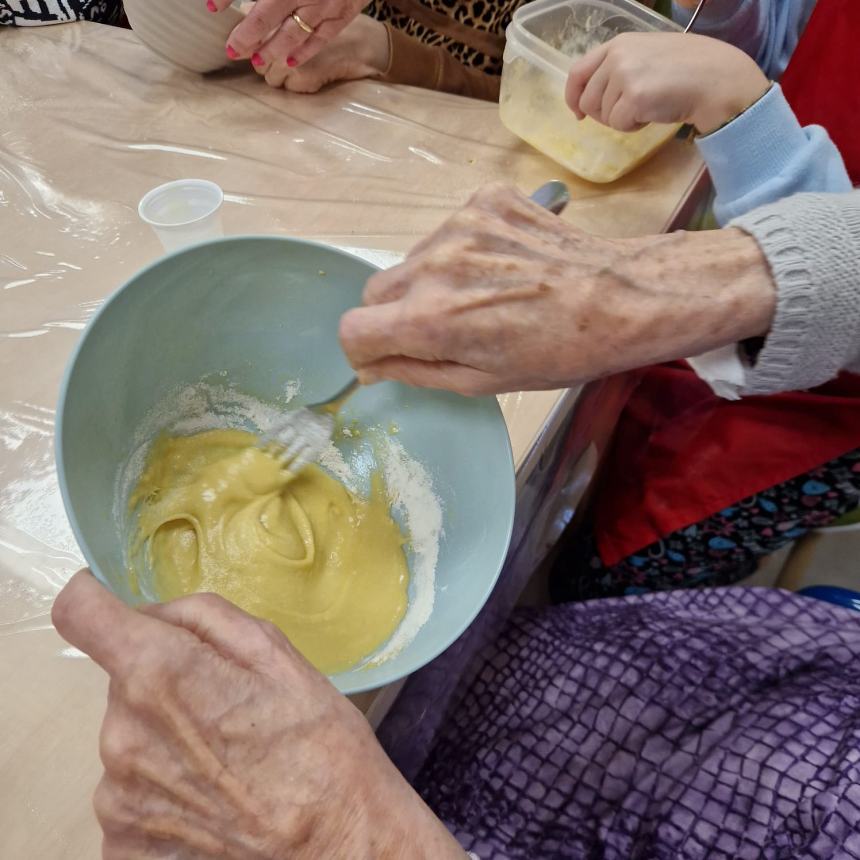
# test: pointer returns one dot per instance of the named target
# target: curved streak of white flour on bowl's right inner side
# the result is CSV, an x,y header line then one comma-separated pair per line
x,y
410,488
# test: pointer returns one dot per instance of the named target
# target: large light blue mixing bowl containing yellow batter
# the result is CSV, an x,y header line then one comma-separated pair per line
x,y
256,312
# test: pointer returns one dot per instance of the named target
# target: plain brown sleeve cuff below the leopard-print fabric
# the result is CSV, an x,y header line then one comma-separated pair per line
x,y
418,65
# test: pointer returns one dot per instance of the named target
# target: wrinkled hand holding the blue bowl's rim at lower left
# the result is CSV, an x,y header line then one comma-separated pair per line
x,y
221,741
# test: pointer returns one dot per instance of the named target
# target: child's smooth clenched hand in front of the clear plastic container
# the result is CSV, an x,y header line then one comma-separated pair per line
x,y
637,78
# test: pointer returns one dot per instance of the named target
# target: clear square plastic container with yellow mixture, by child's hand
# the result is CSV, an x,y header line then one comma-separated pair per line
x,y
543,39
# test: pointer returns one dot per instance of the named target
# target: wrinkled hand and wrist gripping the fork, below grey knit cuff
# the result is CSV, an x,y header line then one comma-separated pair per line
x,y
505,296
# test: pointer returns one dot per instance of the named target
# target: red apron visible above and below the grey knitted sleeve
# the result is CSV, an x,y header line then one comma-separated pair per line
x,y
682,454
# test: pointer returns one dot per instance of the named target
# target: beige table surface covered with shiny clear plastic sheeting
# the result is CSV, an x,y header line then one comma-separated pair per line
x,y
90,121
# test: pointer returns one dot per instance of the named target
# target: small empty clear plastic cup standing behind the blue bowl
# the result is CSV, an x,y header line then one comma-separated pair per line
x,y
183,212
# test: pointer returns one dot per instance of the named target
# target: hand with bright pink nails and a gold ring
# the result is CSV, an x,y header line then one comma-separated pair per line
x,y
289,31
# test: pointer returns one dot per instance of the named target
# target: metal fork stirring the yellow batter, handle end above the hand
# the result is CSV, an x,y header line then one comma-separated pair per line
x,y
304,434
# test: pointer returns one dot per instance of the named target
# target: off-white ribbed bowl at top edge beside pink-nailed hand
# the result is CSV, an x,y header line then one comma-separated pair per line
x,y
184,32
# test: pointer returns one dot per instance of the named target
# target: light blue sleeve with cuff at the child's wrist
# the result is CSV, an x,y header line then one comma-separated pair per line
x,y
765,155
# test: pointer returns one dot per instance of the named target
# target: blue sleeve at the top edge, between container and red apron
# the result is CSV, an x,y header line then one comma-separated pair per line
x,y
767,30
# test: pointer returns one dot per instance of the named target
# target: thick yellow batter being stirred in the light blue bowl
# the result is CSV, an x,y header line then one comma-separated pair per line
x,y
217,513
